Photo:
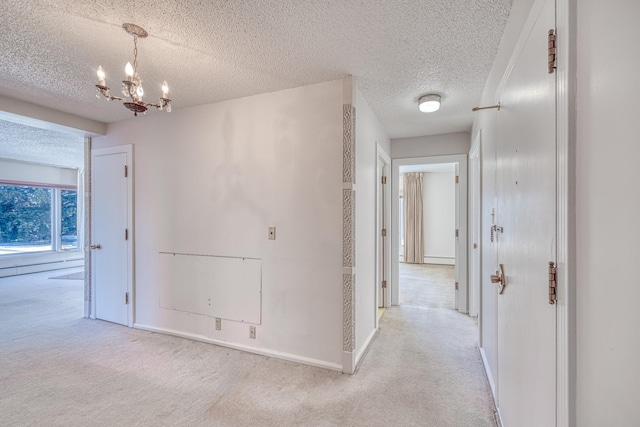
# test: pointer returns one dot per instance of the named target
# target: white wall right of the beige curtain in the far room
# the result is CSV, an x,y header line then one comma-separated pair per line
x,y
439,218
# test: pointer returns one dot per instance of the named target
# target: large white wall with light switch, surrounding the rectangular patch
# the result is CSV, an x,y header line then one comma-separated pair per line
x,y
212,179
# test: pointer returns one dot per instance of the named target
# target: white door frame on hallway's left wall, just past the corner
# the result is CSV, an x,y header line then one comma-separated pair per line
x,y
383,159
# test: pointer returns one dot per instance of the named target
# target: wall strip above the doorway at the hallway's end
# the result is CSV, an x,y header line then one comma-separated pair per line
x,y
435,145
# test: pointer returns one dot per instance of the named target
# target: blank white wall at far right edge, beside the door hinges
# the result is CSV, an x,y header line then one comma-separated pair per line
x,y
608,211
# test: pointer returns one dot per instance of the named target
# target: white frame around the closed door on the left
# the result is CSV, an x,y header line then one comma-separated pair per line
x,y
128,150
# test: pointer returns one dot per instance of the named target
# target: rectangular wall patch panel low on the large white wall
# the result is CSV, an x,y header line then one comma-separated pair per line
x,y
226,287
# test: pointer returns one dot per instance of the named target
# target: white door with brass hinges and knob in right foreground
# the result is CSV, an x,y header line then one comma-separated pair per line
x,y
526,211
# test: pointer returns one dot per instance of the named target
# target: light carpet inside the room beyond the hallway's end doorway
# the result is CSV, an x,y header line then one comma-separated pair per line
x,y
427,285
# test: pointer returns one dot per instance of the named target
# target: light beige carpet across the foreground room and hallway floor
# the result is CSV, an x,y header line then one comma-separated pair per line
x,y
58,369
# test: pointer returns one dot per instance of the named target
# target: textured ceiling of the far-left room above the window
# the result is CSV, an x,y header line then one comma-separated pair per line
x,y
26,143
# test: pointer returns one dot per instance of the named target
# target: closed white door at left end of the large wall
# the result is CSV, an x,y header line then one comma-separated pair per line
x,y
111,234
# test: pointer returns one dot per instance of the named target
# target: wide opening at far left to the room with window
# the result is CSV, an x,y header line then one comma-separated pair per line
x,y
41,171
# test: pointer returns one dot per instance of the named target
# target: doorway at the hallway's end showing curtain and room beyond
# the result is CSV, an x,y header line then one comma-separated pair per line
x,y
429,232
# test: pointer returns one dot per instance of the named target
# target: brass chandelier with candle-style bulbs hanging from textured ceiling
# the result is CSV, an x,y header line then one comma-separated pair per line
x,y
132,85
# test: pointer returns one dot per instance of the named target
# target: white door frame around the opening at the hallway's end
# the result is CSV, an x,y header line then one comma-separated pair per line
x,y
461,224
